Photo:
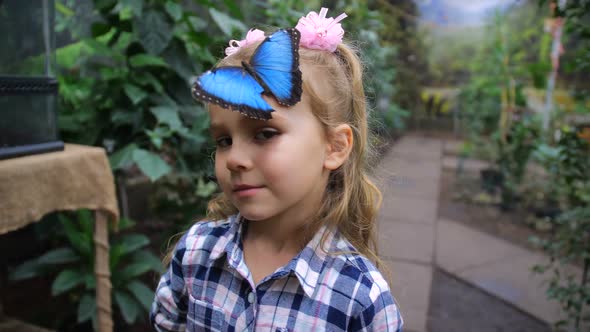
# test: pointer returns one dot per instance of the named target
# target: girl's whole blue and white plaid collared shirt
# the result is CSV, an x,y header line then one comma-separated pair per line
x,y
208,287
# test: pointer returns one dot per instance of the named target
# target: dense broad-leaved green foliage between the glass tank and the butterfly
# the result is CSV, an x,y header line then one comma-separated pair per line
x,y
128,87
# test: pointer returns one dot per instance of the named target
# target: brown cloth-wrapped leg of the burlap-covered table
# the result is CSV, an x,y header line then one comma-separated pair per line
x,y
102,272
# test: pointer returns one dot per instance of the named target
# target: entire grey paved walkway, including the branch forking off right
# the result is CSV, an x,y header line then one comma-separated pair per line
x,y
413,241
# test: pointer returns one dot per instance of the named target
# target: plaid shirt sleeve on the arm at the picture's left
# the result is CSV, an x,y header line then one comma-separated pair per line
x,y
170,305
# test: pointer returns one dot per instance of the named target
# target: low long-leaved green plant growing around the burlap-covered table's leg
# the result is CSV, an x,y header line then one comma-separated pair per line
x,y
72,267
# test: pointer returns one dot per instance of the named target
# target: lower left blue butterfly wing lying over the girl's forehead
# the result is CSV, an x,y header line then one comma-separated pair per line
x,y
234,88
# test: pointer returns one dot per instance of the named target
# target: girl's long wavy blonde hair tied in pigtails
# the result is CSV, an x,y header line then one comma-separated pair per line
x,y
351,200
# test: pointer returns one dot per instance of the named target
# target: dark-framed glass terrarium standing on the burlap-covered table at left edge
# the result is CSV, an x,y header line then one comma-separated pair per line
x,y
28,87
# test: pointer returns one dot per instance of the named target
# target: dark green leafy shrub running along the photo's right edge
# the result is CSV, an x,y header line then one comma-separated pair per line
x,y
568,166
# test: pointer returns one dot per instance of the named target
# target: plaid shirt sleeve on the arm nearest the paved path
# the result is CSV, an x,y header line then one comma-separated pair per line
x,y
381,315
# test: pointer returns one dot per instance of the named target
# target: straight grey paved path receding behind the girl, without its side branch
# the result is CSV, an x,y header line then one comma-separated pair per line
x,y
408,176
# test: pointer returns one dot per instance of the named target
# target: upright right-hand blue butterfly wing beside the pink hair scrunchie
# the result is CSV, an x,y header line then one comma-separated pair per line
x,y
276,65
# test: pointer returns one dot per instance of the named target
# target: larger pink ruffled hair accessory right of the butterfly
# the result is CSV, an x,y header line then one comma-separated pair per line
x,y
319,32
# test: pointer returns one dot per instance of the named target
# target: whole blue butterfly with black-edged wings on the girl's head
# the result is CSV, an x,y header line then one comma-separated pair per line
x,y
273,70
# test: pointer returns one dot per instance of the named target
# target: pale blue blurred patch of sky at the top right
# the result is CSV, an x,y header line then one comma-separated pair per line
x,y
460,12
